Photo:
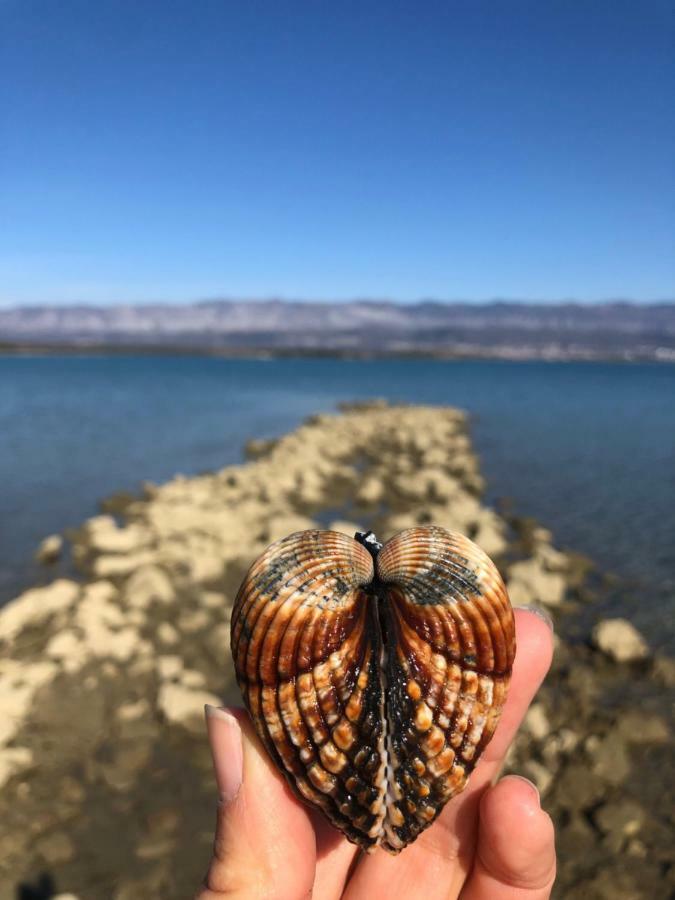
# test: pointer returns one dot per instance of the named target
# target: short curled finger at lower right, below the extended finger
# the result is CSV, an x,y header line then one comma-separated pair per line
x,y
515,855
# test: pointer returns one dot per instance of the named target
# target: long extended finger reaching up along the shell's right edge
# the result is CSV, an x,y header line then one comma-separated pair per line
x,y
437,864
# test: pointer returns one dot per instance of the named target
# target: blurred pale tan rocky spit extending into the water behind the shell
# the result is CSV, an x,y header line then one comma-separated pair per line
x,y
105,774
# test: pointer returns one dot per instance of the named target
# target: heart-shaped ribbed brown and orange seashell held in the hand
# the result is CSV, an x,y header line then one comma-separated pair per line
x,y
375,675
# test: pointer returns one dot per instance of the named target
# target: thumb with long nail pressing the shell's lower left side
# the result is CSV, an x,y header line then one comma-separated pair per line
x,y
264,844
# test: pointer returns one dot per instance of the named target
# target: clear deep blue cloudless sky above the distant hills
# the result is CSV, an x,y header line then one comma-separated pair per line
x,y
173,151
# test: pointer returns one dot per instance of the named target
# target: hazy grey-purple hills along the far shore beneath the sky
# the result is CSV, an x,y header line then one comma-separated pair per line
x,y
497,329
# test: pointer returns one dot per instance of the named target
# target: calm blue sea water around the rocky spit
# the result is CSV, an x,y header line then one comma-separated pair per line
x,y
588,449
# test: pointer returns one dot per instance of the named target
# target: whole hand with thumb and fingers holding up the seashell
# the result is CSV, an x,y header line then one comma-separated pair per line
x,y
491,842
